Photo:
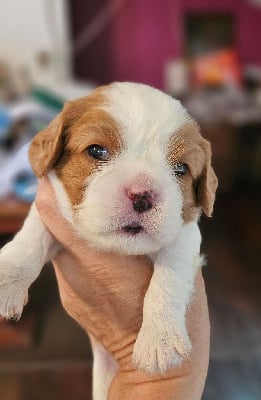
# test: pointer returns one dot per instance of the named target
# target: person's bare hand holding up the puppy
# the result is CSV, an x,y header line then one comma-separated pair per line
x,y
104,293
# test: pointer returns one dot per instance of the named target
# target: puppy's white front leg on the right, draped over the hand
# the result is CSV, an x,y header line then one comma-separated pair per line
x,y
163,340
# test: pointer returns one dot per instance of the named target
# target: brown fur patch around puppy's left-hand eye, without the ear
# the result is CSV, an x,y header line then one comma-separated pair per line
x,y
75,165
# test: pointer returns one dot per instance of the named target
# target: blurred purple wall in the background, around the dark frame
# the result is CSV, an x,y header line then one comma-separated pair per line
x,y
149,32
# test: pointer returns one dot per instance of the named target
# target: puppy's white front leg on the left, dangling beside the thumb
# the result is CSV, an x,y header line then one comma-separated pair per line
x,y
21,261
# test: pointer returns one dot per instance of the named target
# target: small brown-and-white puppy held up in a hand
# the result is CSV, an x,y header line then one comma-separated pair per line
x,y
132,174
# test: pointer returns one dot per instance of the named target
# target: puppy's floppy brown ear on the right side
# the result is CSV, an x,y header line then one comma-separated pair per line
x,y
207,182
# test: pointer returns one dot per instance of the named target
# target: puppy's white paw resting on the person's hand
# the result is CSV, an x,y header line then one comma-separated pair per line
x,y
156,352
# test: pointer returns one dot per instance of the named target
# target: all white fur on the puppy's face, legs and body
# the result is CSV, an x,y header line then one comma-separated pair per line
x,y
147,121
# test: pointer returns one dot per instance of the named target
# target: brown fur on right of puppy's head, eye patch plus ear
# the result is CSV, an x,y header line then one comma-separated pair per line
x,y
199,184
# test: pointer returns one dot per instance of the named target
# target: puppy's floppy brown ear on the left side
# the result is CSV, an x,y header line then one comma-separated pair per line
x,y
46,147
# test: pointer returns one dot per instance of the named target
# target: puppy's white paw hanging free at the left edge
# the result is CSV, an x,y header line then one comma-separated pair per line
x,y
13,293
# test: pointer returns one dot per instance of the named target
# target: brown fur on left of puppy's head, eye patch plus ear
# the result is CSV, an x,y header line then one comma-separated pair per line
x,y
62,145
